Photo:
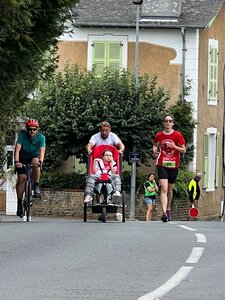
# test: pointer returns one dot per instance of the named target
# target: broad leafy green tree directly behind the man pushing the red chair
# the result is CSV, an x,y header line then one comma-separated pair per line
x,y
69,107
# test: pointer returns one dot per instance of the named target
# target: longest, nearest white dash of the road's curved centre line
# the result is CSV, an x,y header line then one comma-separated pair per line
x,y
169,285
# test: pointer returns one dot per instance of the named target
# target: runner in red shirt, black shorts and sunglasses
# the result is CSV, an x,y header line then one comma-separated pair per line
x,y
171,143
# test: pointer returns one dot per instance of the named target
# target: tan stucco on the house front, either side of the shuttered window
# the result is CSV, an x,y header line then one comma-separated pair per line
x,y
153,60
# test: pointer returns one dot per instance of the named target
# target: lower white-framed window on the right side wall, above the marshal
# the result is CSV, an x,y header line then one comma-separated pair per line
x,y
212,151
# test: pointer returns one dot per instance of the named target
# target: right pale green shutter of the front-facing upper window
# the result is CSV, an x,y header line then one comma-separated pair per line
x,y
114,55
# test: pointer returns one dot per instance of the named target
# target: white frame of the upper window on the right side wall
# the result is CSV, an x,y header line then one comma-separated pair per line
x,y
212,44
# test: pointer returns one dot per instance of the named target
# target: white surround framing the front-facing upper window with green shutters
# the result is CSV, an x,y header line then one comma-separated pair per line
x,y
107,37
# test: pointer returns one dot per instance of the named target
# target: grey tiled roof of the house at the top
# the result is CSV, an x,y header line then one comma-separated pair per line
x,y
122,13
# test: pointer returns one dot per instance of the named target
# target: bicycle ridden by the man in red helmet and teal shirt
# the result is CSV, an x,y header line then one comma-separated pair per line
x,y
28,193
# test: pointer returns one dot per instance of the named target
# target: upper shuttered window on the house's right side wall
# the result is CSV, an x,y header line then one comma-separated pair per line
x,y
213,72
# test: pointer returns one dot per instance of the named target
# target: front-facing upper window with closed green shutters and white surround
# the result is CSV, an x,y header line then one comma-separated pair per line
x,y
107,51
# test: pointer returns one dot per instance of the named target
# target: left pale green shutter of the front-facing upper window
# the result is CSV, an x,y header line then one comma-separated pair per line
x,y
99,56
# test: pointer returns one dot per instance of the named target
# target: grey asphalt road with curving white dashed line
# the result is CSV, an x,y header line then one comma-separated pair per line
x,y
68,259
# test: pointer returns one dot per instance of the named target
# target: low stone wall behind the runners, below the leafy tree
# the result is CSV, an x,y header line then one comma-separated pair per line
x,y
69,203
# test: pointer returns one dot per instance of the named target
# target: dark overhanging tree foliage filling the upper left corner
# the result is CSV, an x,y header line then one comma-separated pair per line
x,y
28,39
